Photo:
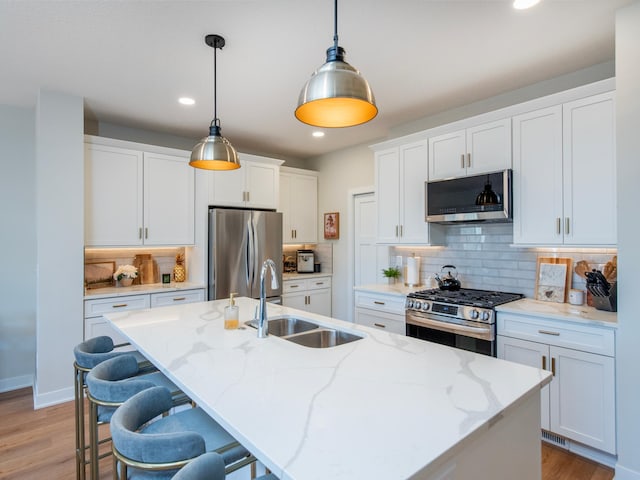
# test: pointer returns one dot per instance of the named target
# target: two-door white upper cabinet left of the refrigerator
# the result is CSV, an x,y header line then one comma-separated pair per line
x,y
134,197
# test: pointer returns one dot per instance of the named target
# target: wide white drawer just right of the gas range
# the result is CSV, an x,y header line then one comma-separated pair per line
x,y
552,332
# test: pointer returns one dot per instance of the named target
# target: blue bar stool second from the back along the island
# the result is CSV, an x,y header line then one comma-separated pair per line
x,y
109,384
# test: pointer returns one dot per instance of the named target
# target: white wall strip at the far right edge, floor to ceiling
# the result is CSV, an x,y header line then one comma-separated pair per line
x,y
628,148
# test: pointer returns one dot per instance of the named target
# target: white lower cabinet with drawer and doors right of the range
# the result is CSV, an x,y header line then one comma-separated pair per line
x,y
579,403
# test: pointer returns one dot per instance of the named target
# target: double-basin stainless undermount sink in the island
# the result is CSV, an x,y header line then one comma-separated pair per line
x,y
306,333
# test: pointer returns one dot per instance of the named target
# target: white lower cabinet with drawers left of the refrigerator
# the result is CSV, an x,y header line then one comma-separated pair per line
x,y
95,324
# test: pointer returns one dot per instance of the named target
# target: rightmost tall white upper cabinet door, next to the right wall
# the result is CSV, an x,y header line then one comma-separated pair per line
x,y
590,171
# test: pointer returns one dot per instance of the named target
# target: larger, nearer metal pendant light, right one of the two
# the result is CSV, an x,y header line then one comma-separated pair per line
x,y
336,95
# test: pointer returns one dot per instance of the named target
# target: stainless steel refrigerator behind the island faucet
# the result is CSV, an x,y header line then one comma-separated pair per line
x,y
239,241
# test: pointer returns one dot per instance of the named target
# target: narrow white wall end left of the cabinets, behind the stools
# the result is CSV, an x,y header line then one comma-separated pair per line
x,y
59,180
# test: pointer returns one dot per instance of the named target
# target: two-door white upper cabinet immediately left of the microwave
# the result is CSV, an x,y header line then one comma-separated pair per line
x,y
401,173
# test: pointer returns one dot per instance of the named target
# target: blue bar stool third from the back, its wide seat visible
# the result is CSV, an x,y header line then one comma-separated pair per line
x,y
144,449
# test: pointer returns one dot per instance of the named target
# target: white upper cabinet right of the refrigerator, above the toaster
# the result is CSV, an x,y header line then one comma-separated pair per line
x,y
299,205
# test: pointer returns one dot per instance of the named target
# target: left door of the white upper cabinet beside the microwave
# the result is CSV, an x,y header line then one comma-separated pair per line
x,y
387,164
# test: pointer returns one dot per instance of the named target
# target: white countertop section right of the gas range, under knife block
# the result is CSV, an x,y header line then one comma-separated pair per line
x,y
561,311
